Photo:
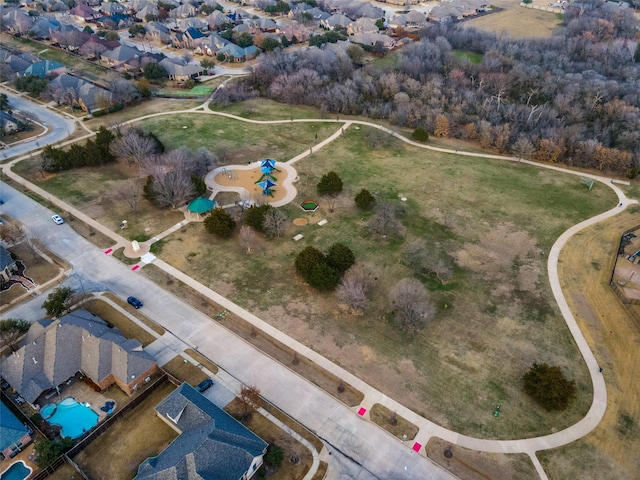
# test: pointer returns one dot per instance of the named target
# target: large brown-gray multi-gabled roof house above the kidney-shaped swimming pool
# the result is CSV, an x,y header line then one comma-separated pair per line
x,y
55,350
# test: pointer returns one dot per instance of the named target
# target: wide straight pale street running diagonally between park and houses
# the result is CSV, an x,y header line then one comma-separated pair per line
x,y
359,449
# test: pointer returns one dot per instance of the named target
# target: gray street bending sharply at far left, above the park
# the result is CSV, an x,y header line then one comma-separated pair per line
x,y
58,127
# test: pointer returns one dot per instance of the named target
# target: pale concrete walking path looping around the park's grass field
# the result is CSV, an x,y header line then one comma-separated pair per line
x,y
427,429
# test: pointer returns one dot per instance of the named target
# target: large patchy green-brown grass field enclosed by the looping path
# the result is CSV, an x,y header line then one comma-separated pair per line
x,y
494,319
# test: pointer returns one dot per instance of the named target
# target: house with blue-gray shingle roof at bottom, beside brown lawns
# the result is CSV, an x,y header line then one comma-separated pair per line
x,y
212,445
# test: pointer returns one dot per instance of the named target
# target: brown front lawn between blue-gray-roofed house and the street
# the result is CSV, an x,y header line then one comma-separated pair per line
x,y
272,434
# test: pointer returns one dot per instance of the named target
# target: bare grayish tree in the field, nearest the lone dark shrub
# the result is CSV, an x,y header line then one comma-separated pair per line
x,y
411,304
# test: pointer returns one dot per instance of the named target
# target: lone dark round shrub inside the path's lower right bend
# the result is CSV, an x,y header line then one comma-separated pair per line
x,y
549,387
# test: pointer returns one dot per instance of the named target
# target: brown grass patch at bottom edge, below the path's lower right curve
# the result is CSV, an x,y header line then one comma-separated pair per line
x,y
471,465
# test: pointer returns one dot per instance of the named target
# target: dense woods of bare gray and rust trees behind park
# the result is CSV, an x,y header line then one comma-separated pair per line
x,y
572,98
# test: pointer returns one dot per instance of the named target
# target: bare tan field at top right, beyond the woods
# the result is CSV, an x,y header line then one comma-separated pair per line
x,y
516,21
